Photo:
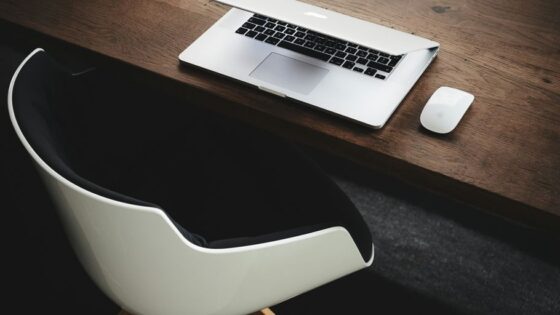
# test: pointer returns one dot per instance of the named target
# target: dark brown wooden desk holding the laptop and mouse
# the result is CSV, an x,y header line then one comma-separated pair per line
x,y
505,155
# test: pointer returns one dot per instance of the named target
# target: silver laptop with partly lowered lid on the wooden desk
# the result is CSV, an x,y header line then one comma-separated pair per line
x,y
349,67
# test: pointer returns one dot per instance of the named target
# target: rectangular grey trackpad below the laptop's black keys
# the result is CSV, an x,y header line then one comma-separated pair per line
x,y
289,73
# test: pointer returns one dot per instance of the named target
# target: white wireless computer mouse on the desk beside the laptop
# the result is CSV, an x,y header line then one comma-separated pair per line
x,y
444,109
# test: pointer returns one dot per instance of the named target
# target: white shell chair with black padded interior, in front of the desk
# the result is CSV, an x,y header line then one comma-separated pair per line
x,y
162,202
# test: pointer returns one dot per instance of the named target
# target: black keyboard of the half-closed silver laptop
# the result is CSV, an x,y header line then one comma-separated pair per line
x,y
369,62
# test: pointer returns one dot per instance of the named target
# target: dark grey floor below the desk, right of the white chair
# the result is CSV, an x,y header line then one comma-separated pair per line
x,y
435,255
